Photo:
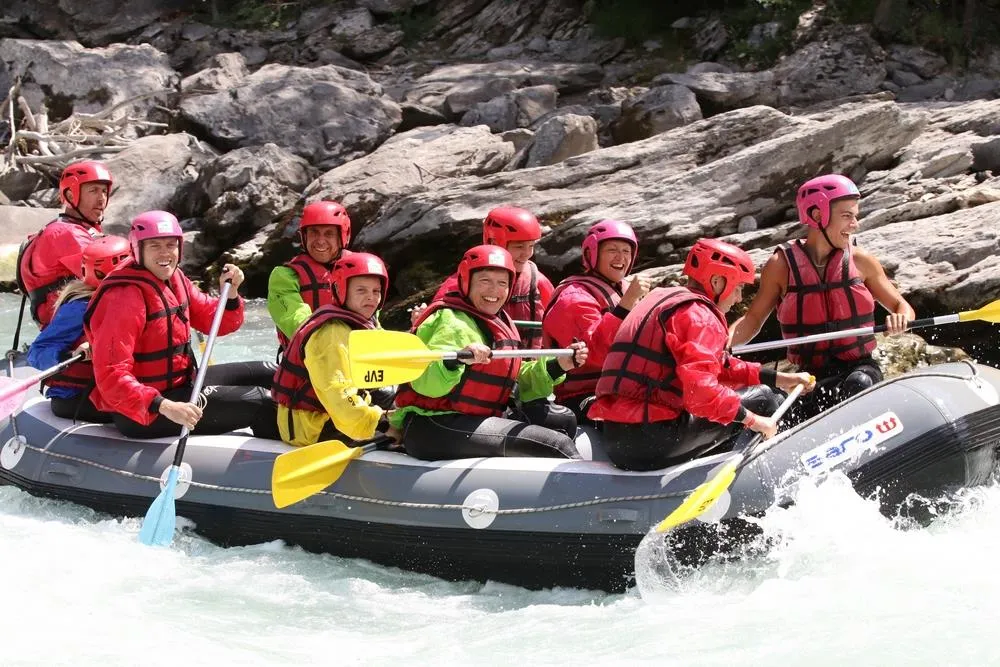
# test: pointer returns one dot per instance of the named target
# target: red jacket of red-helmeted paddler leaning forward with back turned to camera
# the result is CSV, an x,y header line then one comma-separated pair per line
x,y
693,339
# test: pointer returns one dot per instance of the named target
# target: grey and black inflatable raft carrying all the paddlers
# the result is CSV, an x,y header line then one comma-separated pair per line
x,y
530,522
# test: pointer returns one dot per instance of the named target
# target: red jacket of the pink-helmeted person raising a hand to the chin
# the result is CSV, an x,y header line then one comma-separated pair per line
x,y
583,308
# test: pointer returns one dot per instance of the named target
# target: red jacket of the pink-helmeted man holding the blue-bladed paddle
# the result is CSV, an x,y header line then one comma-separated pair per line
x,y
139,330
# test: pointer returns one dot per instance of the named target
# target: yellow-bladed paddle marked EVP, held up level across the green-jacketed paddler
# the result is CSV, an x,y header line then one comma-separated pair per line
x,y
380,358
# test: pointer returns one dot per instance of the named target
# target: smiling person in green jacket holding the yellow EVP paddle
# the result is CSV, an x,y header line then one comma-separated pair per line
x,y
458,408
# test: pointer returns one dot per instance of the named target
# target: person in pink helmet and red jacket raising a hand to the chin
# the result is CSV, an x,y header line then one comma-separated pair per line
x,y
591,306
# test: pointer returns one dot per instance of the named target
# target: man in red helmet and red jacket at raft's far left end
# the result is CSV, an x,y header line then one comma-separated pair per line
x,y
52,258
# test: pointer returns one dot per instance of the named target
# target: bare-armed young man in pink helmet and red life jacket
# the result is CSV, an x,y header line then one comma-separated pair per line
x,y
826,283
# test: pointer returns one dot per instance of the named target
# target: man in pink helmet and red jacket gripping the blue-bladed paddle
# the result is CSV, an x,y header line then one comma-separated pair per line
x,y
139,326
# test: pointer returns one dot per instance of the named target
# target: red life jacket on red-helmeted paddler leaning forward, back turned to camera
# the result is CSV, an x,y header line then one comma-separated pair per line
x,y
639,365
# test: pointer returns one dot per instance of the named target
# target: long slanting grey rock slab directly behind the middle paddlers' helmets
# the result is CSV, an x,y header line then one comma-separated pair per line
x,y
693,181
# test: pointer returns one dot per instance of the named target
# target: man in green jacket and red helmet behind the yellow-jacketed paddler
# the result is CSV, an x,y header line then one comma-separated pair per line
x,y
302,285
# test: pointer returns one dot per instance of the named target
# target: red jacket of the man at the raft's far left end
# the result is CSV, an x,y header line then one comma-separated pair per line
x,y
50,259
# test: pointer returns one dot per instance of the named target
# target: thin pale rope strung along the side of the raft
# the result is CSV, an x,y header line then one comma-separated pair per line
x,y
430,506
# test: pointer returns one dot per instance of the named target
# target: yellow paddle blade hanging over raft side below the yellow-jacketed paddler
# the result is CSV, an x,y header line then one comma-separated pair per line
x,y
306,471
